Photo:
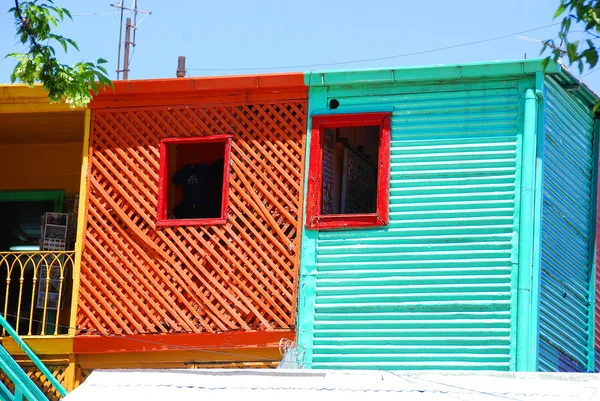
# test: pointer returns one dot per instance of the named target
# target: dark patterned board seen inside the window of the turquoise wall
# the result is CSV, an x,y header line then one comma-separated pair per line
x,y
359,184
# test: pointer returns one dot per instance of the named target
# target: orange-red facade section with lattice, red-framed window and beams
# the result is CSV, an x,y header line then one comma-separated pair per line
x,y
192,220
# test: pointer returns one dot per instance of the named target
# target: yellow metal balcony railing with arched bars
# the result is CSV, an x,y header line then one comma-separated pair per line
x,y
35,291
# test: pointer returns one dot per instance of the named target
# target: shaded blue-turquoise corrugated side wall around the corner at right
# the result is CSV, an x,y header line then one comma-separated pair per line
x,y
567,242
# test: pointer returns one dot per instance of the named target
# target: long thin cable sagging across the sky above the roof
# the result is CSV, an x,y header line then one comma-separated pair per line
x,y
377,58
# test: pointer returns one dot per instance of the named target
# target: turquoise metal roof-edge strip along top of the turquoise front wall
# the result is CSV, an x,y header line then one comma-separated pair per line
x,y
430,73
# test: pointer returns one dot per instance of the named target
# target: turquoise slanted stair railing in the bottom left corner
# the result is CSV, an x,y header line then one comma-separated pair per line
x,y
25,388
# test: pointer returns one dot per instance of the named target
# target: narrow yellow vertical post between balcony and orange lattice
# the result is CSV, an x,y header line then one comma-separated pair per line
x,y
81,219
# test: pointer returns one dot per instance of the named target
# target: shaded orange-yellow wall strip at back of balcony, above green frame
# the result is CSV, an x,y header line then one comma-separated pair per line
x,y
40,166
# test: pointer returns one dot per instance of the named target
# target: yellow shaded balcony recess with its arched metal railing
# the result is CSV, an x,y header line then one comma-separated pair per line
x,y
41,160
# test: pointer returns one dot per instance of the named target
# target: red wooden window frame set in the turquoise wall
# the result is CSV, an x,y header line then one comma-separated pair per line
x,y
314,218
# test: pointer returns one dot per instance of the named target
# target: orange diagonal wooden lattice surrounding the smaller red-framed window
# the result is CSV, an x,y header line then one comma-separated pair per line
x,y
139,278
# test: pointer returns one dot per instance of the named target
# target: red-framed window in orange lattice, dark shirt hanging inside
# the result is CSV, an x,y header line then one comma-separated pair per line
x,y
193,180
